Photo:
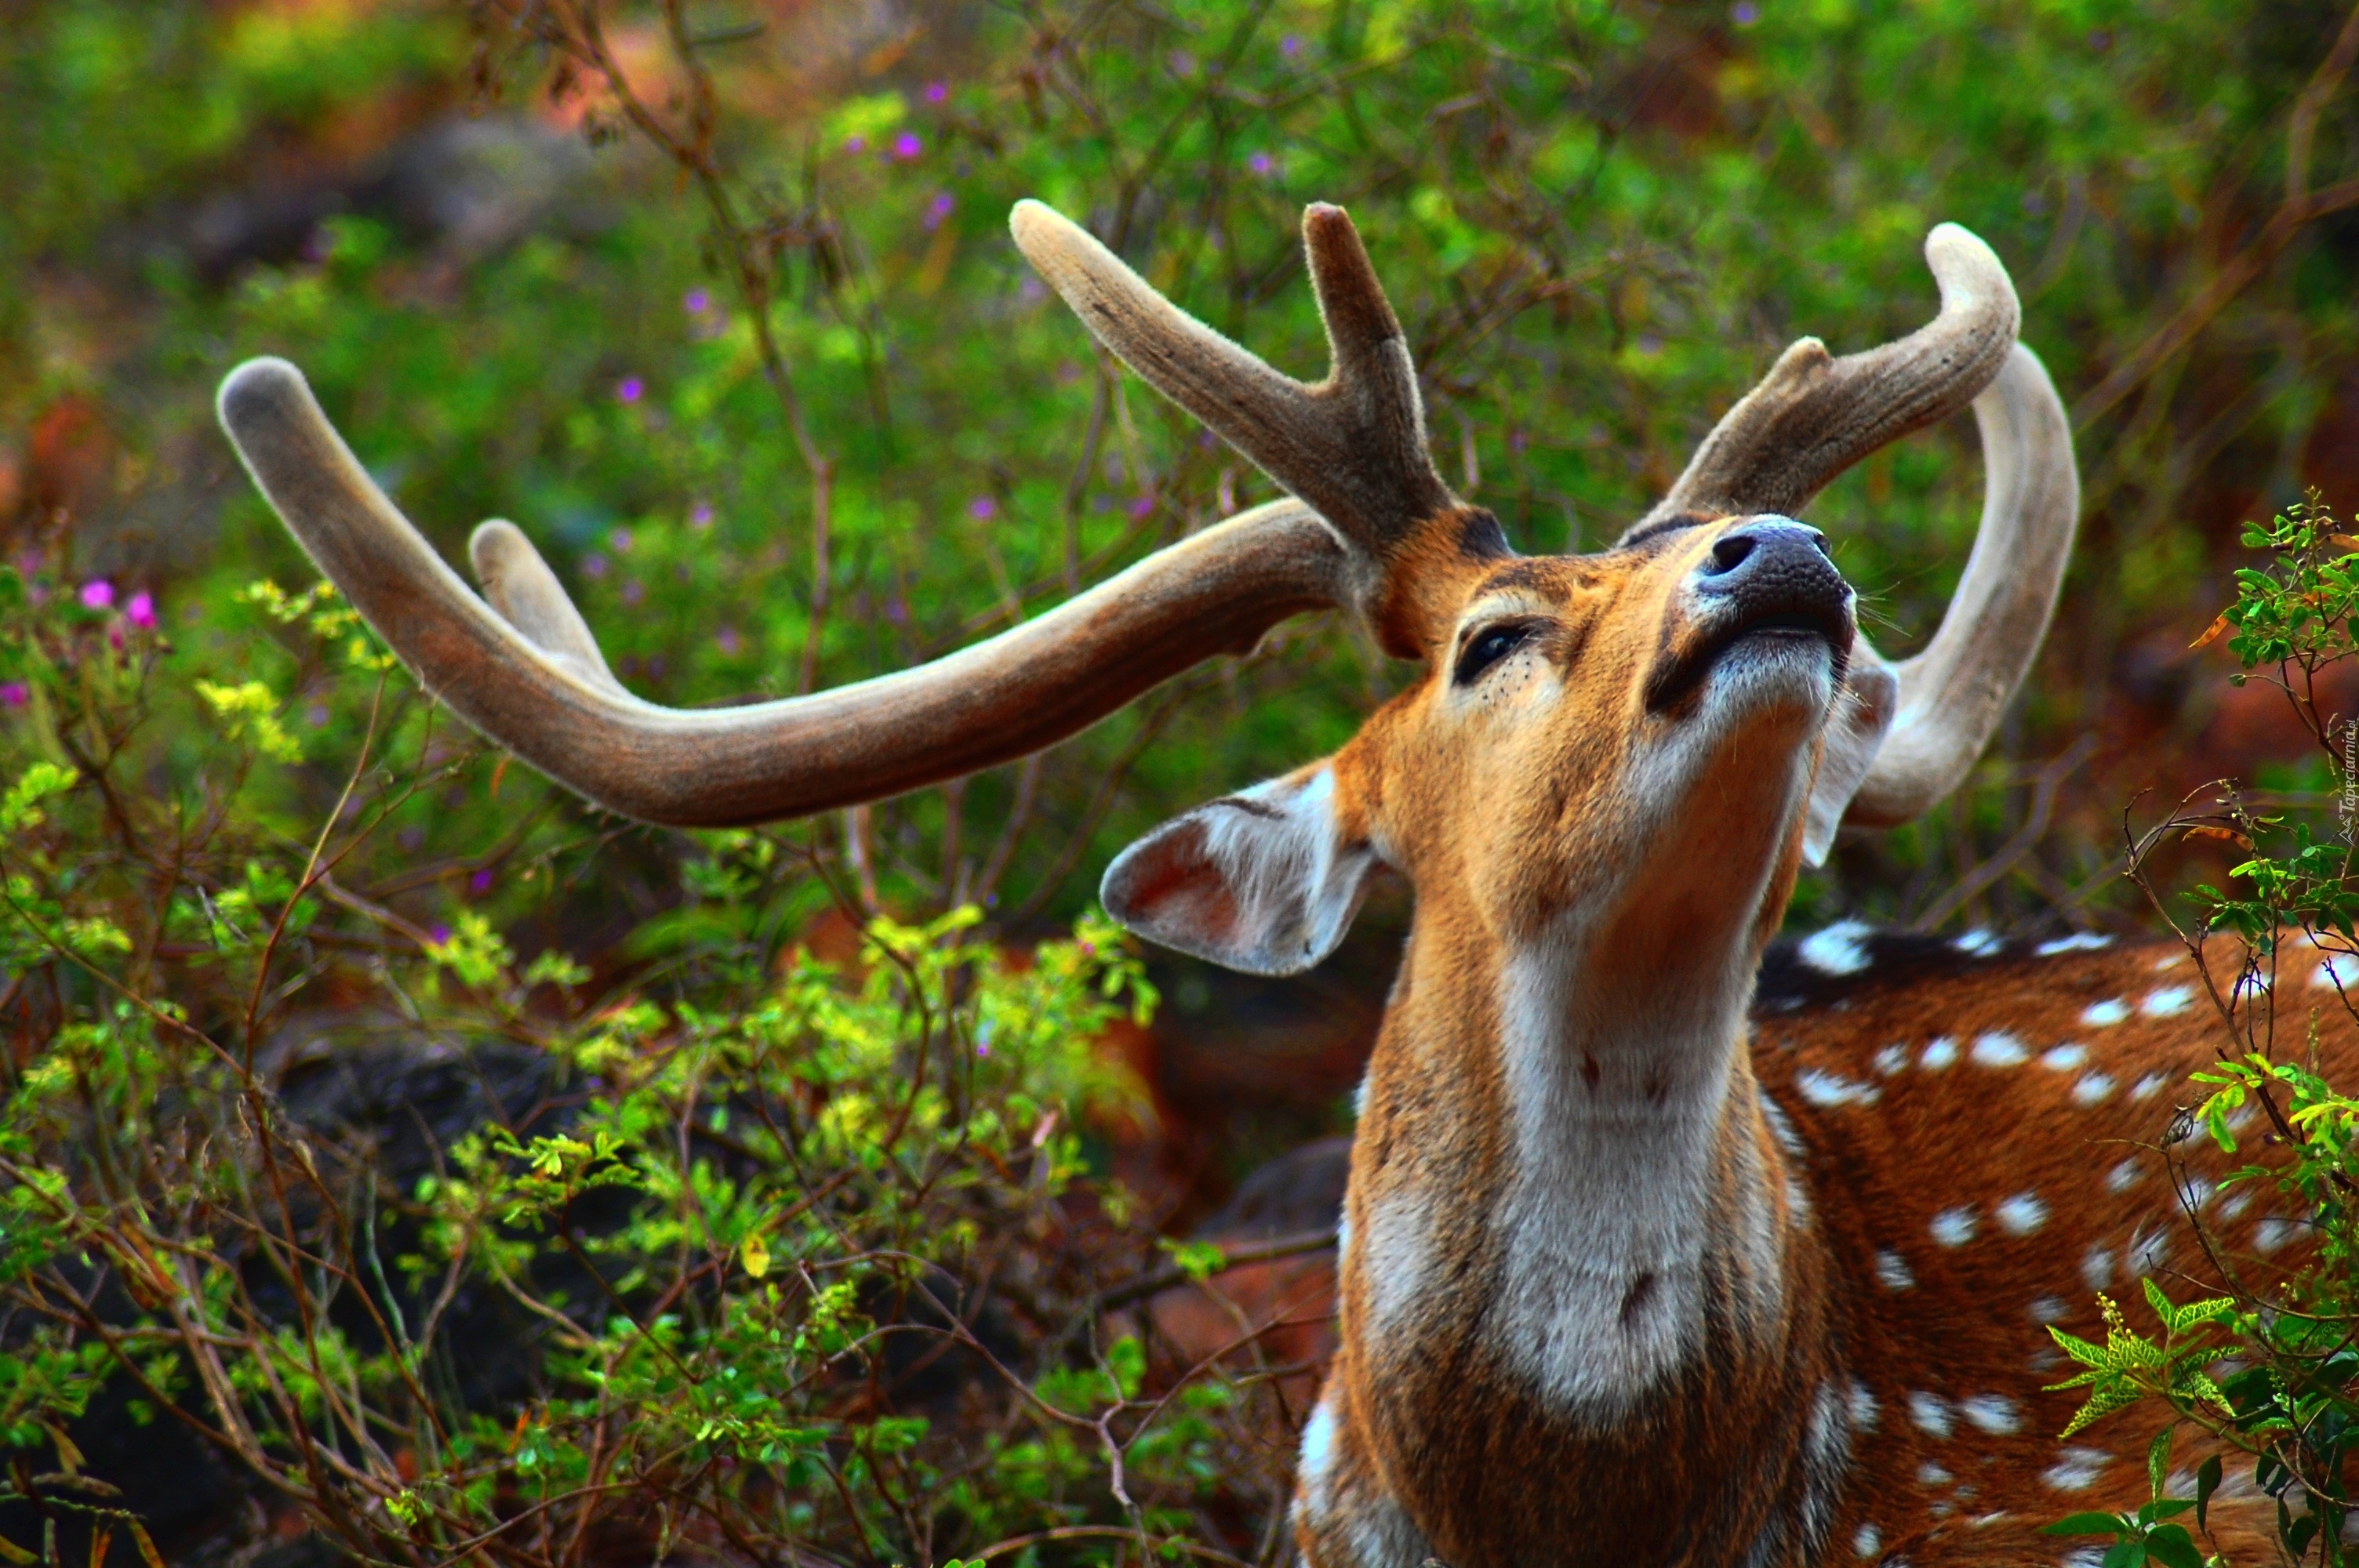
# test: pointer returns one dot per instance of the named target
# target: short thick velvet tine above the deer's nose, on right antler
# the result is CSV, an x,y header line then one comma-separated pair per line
x,y
1815,416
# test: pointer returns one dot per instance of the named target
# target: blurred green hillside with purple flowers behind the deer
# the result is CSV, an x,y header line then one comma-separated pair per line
x,y
718,303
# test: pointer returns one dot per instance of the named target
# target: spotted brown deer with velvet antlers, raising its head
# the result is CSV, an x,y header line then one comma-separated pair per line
x,y
1627,1277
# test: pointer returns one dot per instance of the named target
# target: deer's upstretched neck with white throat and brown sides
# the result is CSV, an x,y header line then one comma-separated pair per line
x,y
1570,1206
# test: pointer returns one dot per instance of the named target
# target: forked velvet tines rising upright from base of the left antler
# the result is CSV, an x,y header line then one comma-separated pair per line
x,y
1353,444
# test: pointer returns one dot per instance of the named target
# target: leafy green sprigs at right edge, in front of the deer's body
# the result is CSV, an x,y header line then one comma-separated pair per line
x,y
2266,1369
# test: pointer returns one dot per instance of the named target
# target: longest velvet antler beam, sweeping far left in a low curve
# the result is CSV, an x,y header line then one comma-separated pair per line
x,y
530,676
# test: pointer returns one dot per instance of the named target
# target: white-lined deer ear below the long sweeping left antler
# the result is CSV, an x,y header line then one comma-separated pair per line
x,y
1266,881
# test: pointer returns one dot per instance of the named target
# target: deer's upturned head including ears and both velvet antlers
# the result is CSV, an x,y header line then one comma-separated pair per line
x,y
1586,692
